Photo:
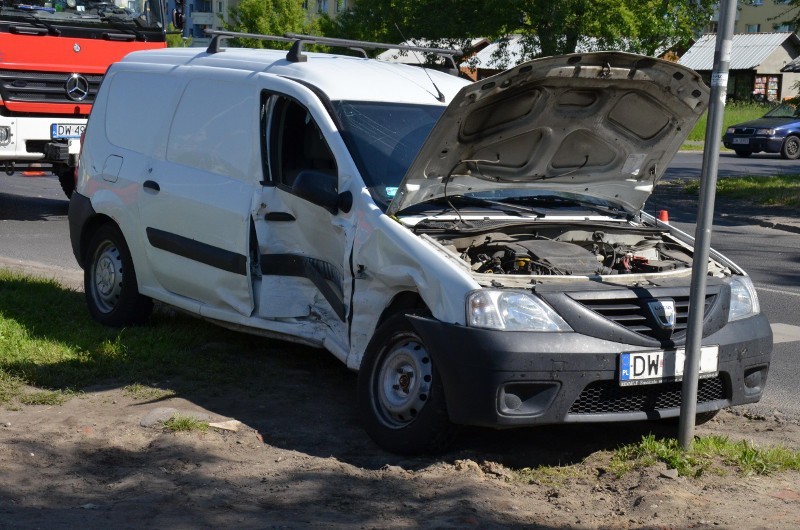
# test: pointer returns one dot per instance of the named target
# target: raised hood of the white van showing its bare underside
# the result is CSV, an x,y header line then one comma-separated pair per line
x,y
603,124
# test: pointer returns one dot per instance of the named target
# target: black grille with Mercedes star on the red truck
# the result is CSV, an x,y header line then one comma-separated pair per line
x,y
43,87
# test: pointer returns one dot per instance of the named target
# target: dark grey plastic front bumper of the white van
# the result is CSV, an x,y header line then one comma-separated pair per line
x,y
507,379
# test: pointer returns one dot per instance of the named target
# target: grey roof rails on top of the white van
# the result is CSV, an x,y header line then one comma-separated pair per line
x,y
296,55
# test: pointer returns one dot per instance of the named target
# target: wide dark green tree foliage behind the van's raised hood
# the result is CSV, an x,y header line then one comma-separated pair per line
x,y
546,27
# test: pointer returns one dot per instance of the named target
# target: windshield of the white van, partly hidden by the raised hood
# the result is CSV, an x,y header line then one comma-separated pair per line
x,y
383,139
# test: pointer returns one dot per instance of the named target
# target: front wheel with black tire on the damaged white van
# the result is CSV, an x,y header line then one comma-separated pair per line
x,y
400,394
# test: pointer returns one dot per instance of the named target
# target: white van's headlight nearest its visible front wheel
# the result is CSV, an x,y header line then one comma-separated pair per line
x,y
512,311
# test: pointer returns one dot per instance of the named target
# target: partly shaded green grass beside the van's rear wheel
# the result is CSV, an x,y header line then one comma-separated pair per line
x,y
48,341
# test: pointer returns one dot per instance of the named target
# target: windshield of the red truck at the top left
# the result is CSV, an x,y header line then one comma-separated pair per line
x,y
139,19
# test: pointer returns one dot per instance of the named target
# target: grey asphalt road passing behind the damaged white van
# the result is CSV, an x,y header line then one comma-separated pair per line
x,y
33,230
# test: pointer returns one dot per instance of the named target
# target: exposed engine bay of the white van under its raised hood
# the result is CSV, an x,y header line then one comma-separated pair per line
x,y
568,250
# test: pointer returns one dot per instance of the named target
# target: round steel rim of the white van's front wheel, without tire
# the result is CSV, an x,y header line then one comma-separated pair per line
x,y
404,383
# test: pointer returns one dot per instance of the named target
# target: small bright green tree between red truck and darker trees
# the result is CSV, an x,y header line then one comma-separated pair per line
x,y
267,17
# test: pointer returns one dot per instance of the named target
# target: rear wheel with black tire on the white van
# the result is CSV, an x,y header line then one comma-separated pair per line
x,y
109,281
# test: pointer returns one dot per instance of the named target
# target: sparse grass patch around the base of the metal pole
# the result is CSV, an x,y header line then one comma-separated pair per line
x,y
709,454
